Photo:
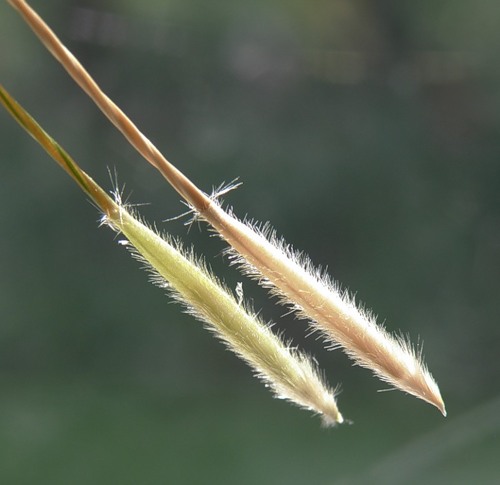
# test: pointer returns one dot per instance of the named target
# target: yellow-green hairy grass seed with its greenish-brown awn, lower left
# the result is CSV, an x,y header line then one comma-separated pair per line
x,y
289,373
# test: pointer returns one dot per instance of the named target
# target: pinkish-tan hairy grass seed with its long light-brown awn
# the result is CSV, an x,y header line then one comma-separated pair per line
x,y
315,297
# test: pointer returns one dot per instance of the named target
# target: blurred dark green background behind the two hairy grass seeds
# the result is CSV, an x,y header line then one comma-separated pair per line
x,y
365,131
